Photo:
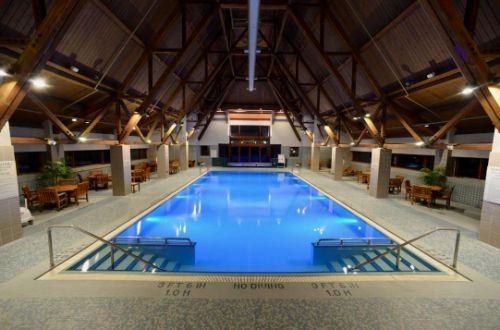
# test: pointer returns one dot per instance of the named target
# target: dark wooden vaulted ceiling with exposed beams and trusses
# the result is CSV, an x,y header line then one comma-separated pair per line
x,y
374,68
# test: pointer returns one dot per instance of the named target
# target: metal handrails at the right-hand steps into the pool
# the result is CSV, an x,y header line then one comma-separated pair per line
x,y
396,248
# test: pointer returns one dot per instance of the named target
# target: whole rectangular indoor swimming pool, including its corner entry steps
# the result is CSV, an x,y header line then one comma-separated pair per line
x,y
250,222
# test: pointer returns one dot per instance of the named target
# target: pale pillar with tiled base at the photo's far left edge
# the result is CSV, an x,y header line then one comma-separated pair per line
x,y
10,219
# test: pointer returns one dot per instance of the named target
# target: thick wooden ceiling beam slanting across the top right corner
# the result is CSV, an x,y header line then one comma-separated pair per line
x,y
465,53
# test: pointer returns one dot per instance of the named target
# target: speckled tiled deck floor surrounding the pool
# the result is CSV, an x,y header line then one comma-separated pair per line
x,y
345,303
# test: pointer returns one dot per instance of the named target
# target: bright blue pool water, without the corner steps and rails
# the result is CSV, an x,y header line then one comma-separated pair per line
x,y
256,222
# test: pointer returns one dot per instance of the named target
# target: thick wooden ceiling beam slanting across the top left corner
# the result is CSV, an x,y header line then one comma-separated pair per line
x,y
14,89
